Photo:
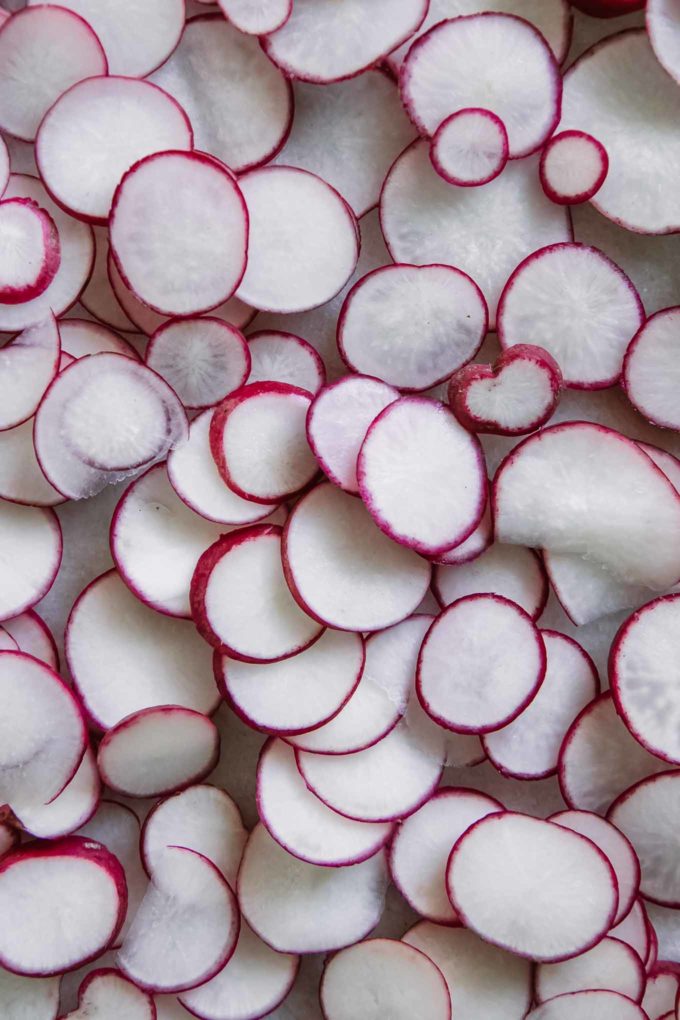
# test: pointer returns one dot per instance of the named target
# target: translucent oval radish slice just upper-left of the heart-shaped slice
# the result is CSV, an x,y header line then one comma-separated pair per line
x,y
410,326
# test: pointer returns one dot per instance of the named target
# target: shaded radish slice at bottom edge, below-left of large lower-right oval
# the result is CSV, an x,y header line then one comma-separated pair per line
x,y
483,981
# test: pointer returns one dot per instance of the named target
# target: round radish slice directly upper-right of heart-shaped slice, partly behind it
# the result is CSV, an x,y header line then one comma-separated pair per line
x,y
580,307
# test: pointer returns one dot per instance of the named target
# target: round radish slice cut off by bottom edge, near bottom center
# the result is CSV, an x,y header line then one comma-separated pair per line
x,y
384,979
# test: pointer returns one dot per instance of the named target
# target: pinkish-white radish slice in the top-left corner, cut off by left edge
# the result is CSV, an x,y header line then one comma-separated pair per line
x,y
43,53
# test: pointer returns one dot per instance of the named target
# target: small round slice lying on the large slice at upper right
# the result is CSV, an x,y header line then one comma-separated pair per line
x,y
470,148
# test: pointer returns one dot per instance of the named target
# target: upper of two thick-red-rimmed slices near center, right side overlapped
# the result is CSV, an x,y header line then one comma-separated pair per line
x,y
259,442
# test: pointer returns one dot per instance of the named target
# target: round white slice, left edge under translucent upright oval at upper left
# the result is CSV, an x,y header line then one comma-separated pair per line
x,y
304,241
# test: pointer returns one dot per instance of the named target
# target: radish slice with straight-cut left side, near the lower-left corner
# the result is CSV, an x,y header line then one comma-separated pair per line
x,y
186,929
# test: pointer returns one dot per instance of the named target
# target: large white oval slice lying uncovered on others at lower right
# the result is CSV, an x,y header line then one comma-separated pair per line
x,y
511,859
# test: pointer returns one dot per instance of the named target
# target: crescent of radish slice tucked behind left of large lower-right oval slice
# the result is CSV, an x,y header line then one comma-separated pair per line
x,y
420,852
